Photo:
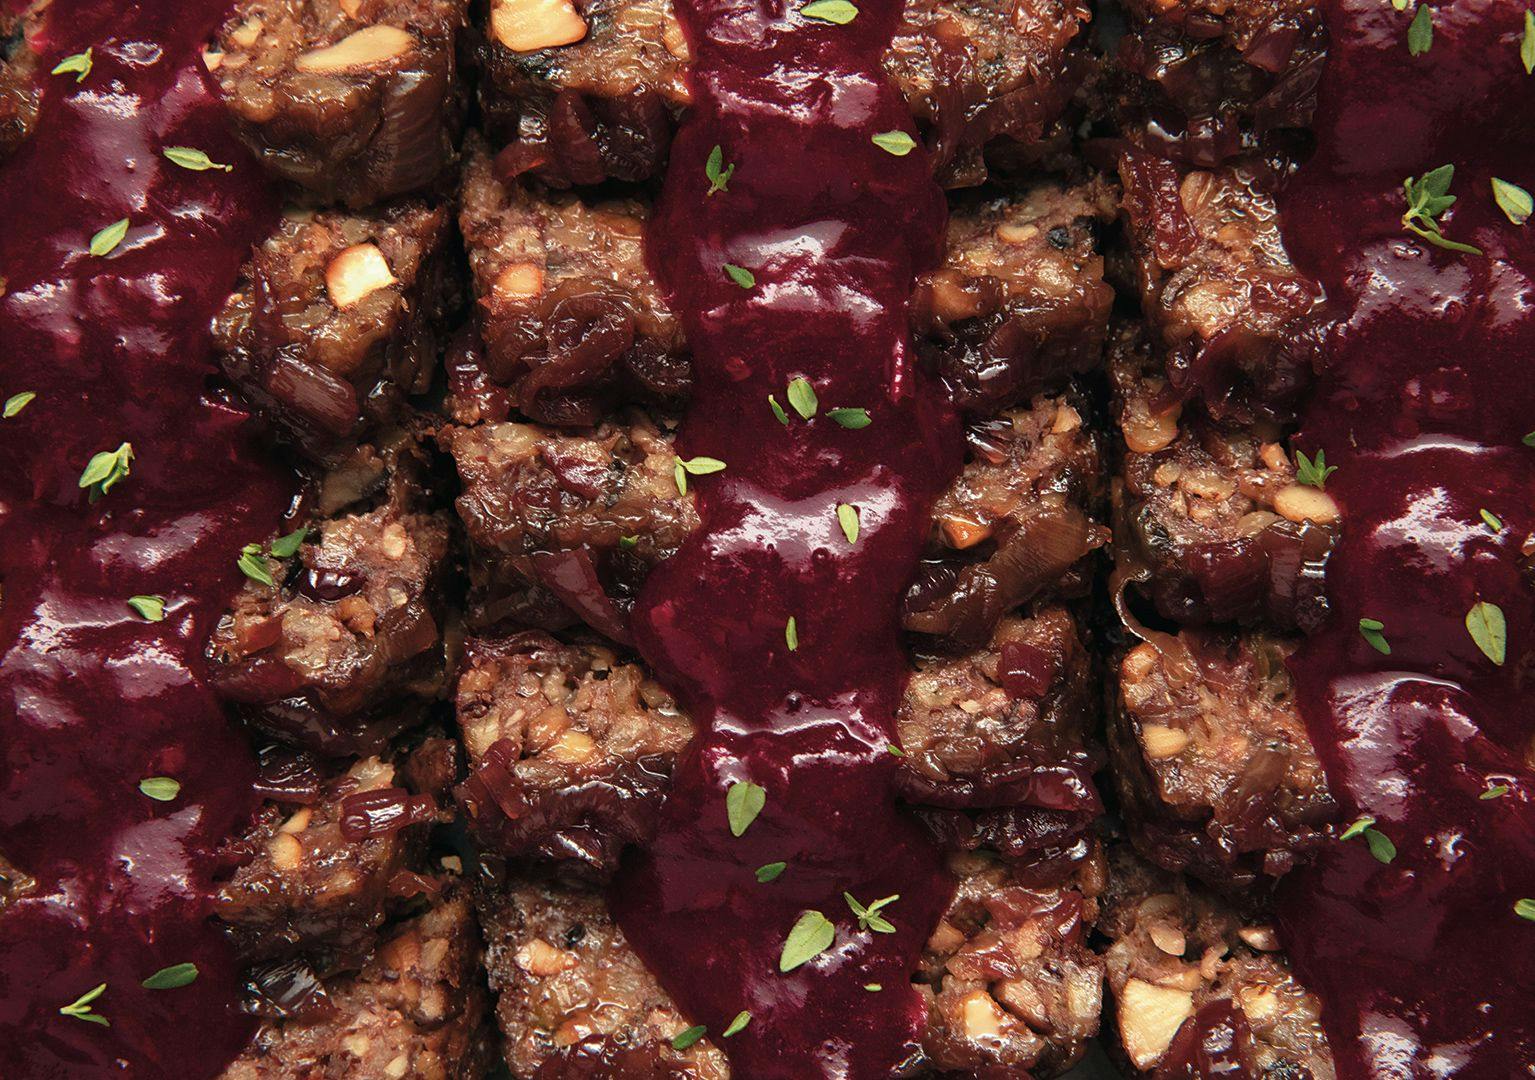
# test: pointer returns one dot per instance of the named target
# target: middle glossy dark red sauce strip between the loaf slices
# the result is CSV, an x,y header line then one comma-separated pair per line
x,y
824,232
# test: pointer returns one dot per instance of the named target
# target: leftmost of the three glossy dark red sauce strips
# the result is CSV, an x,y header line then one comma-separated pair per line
x,y
96,697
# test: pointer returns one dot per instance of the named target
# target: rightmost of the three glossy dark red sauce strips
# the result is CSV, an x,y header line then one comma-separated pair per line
x,y
1422,961
